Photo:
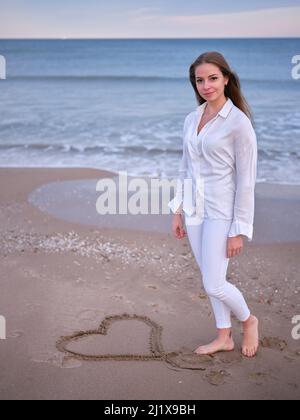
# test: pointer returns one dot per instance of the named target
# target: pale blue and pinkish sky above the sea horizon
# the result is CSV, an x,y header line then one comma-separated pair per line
x,y
149,18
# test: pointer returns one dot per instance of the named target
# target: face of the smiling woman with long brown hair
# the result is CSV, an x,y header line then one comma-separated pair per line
x,y
210,82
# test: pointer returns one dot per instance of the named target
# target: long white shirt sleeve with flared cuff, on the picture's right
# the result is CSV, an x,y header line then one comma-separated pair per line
x,y
246,171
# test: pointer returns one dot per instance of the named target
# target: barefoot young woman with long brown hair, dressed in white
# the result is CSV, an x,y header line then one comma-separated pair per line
x,y
220,157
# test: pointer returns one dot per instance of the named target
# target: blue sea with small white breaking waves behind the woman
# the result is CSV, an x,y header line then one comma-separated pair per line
x,y
120,105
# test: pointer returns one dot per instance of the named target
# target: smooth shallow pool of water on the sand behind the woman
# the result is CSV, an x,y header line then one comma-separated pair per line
x,y
277,209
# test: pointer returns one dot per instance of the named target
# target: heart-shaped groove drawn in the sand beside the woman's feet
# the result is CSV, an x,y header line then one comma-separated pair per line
x,y
184,359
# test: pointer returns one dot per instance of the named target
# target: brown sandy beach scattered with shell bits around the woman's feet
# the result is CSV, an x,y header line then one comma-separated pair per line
x,y
60,277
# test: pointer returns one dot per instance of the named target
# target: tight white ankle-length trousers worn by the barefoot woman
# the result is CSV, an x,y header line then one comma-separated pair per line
x,y
208,241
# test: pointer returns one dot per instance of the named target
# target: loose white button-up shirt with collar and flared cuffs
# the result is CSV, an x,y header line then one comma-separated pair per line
x,y
223,158
